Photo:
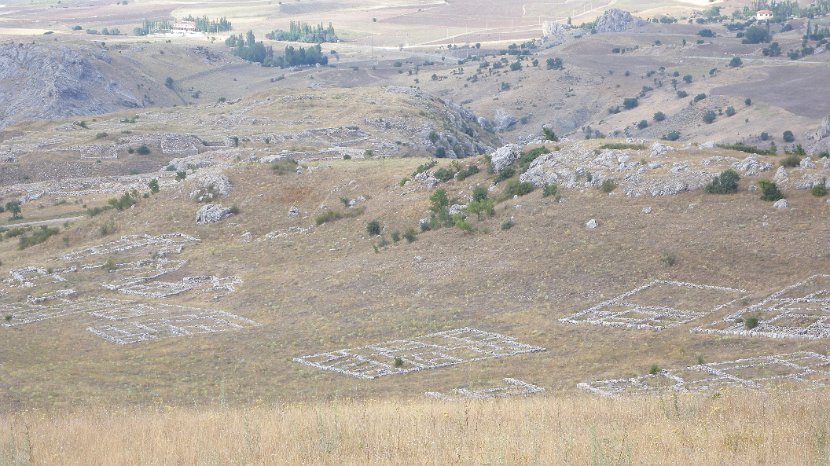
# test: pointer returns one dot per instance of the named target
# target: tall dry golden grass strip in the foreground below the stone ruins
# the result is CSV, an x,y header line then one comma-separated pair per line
x,y
736,428
